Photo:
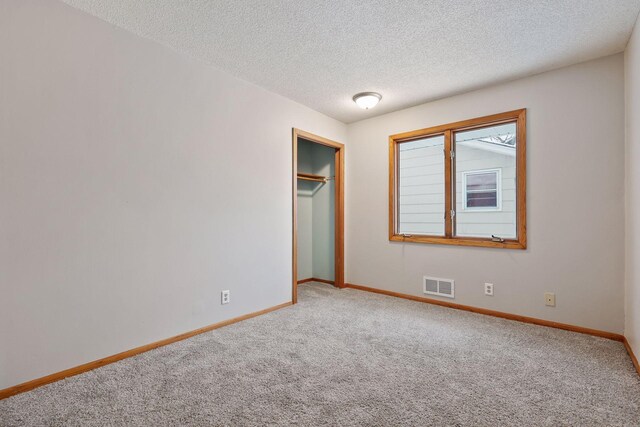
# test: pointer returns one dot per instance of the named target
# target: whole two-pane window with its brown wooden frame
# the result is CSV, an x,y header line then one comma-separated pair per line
x,y
461,183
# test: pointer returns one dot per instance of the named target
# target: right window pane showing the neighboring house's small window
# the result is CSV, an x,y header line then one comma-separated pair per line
x,y
486,182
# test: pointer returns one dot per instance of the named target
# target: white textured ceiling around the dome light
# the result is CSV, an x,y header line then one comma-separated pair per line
x,y
320,53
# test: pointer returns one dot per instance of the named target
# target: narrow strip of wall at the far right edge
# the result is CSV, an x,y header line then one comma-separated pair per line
x,y
632,297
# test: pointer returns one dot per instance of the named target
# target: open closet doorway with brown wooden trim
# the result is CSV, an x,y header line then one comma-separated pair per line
x,y
318,210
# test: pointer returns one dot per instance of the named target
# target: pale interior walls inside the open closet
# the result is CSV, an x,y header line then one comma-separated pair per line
x,y
316,204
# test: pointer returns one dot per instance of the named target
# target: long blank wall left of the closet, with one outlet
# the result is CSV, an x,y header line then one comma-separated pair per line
x,y
135,185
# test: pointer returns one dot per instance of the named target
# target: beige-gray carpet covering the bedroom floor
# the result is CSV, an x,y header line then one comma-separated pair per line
x,y
346,357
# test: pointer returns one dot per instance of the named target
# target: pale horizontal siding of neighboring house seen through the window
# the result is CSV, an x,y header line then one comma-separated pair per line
x,y
421,191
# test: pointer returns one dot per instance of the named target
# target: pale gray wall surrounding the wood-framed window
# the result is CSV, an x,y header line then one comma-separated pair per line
x,y
575,179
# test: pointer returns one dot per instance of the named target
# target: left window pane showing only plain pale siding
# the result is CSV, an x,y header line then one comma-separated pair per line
x,y
421,187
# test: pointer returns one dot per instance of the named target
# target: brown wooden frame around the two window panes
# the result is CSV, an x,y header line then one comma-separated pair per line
x,y
520,242
